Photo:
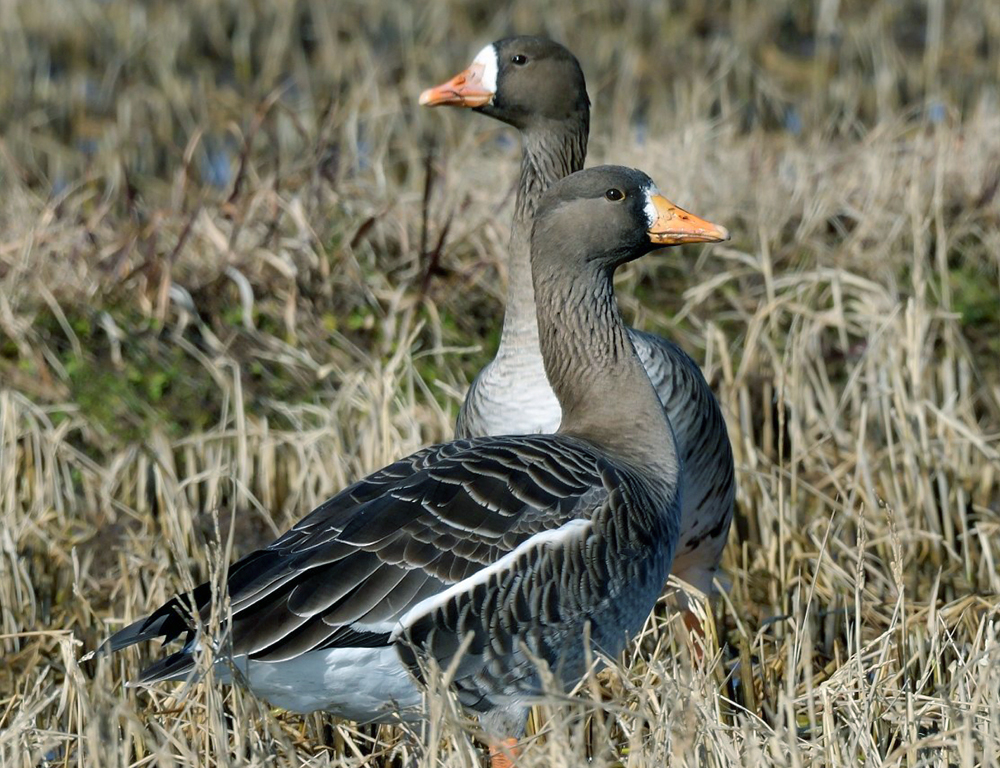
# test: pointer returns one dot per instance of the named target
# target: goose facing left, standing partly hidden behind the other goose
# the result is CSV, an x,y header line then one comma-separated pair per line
x,y
537,86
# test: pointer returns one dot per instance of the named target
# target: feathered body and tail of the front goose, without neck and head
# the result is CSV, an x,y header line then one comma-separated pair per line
x,y
516,541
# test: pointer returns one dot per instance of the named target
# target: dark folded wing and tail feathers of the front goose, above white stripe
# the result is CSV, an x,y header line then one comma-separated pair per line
x,y
347,572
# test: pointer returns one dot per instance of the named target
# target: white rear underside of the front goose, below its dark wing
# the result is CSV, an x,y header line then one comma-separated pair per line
x,y
362,684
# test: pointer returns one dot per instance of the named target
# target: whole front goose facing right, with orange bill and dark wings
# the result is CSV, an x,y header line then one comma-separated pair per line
x,y
510,545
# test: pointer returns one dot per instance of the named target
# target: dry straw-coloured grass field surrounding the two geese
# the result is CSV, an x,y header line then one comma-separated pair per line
x,y
239,267
